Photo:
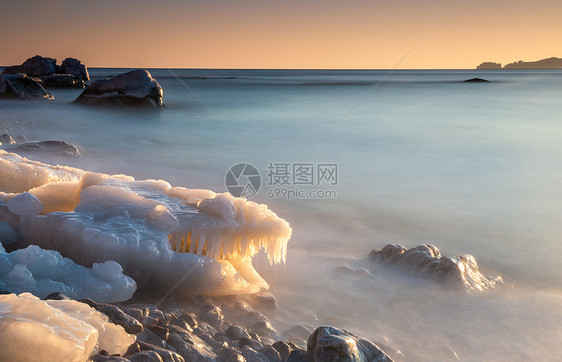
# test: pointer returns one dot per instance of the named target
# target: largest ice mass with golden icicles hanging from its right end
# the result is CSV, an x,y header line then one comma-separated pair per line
x,y
160,235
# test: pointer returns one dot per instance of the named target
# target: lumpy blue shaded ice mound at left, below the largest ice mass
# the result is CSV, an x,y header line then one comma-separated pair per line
x,y
42,272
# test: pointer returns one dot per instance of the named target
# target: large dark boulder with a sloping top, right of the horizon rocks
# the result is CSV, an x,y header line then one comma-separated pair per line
x,y
134,88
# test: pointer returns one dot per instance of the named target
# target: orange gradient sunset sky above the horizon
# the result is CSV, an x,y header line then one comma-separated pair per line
x,y
327,34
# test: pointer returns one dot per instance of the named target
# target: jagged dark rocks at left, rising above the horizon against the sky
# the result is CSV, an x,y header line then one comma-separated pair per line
x,y
71,72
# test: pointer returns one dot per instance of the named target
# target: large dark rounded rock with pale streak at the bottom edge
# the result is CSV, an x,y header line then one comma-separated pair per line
x,y
333,344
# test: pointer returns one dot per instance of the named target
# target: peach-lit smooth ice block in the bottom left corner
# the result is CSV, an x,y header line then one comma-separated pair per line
x,y
55,330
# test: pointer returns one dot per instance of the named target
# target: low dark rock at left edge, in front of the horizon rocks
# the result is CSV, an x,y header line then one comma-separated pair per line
x,y
20,86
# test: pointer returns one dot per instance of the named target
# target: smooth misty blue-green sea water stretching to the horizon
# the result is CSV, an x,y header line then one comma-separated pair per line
x,y
473,168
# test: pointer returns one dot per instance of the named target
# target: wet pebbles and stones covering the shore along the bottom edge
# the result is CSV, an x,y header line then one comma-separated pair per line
x,y
229,329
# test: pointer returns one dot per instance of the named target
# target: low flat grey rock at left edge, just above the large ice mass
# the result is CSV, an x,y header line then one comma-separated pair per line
x,y
22,146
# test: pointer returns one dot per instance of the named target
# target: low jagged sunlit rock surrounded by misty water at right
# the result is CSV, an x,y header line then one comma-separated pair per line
x,y
426,261
